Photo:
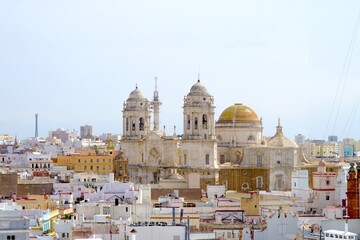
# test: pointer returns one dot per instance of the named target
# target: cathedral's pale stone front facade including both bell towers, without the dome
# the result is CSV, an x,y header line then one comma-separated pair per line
x,y
152,154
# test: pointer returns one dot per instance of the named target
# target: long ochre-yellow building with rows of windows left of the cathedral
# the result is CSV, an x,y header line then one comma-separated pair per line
x,y
100,164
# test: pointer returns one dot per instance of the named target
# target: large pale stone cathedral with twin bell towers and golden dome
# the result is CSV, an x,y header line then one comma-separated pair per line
x,y
231,151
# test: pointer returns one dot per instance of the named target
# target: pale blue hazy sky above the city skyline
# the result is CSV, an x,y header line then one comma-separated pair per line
x,y
76,62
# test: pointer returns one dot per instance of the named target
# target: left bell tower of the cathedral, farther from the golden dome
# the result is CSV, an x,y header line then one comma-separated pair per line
x,y
136,116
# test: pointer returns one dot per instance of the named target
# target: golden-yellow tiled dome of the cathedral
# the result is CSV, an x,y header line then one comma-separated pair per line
x,y
238,113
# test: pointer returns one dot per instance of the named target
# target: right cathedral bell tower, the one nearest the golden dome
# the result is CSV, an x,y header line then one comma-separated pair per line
x,y
199,114
